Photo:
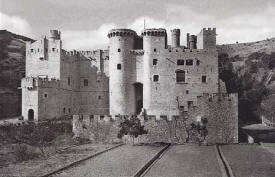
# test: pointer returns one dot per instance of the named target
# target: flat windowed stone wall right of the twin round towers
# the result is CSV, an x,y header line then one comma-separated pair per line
x,y
166,94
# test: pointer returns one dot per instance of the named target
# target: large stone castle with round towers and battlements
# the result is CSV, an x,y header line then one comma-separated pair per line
x,y
137,74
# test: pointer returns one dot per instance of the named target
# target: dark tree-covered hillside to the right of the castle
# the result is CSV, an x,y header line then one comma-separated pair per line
x,y
248,68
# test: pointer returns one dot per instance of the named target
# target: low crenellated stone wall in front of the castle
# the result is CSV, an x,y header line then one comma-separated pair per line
x,y
221,111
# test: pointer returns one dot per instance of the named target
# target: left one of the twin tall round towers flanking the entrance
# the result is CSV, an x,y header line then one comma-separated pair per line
x,y
121,88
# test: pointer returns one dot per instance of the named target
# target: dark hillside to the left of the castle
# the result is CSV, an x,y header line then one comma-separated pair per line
x,y
12,69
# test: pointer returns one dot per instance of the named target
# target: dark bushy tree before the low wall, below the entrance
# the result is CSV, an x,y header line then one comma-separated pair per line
x,y
131,127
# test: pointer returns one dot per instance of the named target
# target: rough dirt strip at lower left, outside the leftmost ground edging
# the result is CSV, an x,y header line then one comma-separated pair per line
x,y
41,166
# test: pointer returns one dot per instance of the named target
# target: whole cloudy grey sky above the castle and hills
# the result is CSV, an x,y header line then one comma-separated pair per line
x,y
84,24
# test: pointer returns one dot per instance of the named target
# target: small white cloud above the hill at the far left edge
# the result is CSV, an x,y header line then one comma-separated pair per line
x,y
15,24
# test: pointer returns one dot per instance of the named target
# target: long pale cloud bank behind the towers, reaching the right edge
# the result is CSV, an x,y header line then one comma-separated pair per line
x,y
243,27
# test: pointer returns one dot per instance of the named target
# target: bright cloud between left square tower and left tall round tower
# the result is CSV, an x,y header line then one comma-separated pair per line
x,y
87,39
